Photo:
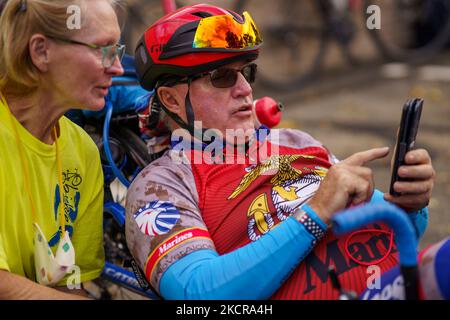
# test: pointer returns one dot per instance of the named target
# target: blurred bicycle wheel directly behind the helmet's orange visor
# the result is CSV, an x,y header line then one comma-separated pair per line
x,y
295,40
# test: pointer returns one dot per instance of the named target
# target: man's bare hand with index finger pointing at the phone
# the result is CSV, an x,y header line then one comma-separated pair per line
x,y
347,183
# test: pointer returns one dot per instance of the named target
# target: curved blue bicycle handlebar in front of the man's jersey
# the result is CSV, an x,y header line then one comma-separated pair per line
x,y
405,237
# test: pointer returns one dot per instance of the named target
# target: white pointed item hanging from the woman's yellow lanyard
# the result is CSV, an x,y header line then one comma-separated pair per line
x,y
51,269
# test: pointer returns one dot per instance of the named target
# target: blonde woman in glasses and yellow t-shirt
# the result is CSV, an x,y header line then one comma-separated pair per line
x,y
55,55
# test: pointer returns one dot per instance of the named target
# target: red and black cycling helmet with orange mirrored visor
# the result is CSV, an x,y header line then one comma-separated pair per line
x,y
192,40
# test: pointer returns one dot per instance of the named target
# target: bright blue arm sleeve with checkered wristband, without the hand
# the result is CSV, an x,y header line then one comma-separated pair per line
x,y
254,271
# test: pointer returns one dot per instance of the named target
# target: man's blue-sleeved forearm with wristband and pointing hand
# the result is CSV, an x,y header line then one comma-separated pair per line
x,y
258,269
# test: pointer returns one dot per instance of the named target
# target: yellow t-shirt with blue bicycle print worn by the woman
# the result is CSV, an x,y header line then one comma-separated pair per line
x,y
82,192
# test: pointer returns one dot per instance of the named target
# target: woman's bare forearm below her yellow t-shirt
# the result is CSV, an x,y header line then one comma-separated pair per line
x,y
15,287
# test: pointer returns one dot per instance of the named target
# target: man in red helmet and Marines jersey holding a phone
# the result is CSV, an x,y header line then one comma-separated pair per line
x,y
237,212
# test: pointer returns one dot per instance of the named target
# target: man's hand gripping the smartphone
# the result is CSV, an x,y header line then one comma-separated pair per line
x,y
415,193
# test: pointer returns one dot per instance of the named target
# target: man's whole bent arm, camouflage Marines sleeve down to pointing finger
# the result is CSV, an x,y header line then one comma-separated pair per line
x,y
195,271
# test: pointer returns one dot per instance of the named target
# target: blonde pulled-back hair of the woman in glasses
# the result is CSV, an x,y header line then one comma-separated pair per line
x,y
21,19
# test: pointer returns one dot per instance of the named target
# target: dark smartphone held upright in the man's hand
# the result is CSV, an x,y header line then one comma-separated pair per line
x,y
406,137
